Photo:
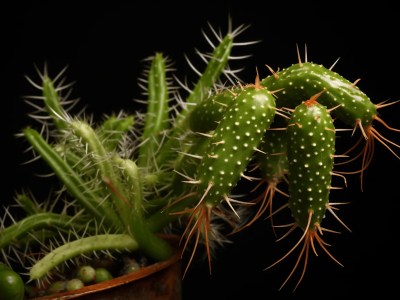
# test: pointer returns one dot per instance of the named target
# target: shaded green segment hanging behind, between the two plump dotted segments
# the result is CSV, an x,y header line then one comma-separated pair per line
x,y
272,161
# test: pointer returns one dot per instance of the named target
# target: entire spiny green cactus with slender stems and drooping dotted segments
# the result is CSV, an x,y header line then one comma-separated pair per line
x,y
175,166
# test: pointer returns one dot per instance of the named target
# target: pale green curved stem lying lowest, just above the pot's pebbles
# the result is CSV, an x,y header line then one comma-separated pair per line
x,y
116,242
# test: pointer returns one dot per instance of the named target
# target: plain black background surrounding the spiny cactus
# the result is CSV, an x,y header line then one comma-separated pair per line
x,y
104,45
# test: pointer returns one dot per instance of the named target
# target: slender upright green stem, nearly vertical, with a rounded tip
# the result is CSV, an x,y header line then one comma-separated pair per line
x,y
157,115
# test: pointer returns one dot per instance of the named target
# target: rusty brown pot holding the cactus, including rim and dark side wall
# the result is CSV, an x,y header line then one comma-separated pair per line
x,y
159,281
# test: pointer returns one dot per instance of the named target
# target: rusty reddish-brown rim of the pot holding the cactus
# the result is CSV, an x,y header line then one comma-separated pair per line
x,y
123,279
